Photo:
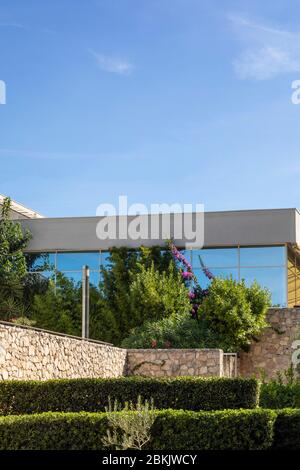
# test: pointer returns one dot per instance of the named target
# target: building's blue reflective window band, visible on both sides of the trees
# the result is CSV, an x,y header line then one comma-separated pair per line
x,y
260,263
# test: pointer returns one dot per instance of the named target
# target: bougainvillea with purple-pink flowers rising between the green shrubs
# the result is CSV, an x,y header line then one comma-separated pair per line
x,y
196,293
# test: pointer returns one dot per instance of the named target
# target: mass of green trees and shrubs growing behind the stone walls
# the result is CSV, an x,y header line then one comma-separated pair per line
x,y
147,298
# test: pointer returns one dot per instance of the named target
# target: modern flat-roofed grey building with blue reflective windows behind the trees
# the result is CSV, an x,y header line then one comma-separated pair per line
x,y
262,245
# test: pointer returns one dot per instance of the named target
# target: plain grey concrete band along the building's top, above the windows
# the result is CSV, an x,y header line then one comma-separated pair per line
x,y
257,227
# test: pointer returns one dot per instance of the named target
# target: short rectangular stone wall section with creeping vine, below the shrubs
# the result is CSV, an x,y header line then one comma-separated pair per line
x,y
174,362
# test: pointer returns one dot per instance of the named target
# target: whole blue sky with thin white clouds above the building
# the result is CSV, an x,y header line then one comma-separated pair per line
x,y
183,101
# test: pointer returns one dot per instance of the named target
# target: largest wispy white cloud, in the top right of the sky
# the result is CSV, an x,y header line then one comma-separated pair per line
x,y
268,52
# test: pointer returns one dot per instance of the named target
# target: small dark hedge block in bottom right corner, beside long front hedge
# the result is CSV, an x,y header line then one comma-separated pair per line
x,y
287,430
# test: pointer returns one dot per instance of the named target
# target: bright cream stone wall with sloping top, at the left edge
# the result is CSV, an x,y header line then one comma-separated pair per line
x,y
27,353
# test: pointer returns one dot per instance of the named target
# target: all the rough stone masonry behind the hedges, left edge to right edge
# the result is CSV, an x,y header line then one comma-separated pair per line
x,y
30,353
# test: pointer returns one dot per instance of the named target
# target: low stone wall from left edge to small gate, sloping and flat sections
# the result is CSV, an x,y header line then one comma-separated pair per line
x,y
33,354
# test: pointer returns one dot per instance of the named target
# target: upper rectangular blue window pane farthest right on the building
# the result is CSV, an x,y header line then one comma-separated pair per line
x,y
263,256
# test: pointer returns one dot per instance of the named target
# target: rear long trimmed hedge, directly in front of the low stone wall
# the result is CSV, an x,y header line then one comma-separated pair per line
x,y
91,395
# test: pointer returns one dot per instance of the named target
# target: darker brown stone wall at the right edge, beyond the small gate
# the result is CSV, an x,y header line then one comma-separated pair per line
x,y
278,347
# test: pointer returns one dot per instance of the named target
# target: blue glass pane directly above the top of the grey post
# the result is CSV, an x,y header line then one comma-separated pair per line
x,y
75,261
